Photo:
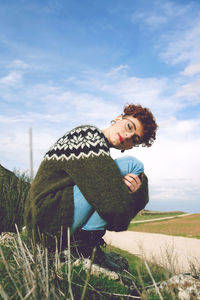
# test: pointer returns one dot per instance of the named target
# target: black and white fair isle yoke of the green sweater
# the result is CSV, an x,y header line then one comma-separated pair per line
x,y
81,142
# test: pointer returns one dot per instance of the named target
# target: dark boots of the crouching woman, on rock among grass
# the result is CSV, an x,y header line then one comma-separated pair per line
x,y
82,244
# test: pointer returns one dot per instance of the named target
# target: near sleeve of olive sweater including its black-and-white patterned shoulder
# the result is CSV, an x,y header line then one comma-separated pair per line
x,y
85,157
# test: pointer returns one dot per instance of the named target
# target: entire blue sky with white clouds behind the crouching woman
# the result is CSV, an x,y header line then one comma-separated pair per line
x,y
72,62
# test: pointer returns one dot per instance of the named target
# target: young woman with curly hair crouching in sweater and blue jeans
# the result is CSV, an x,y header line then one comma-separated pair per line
x,y
79,185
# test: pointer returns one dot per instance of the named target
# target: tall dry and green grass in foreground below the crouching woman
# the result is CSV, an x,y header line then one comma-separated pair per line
x,y
28,272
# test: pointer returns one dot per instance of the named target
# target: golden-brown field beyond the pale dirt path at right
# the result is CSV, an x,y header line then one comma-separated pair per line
x,y
188,226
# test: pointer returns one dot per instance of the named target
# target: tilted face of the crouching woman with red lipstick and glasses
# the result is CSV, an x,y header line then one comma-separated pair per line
x,y
125,133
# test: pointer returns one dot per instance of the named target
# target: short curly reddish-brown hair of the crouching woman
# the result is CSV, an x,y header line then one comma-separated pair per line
x,y
145,116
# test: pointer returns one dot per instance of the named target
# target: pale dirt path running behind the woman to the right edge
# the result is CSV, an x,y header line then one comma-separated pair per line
x,y
175,253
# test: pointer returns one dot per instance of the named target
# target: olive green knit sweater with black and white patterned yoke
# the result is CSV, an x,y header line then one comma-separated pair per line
x,y
81,157
